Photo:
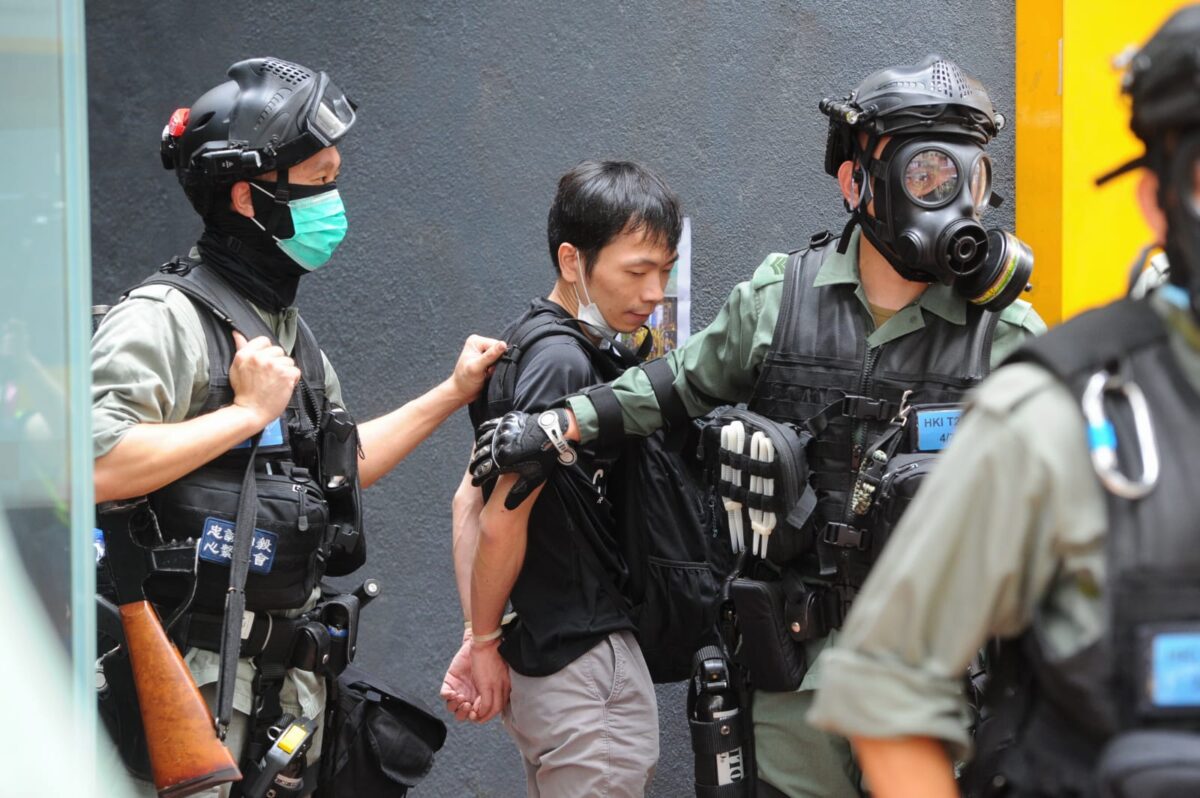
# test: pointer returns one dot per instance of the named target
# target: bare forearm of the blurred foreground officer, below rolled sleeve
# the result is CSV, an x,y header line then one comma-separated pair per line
x,y
907,767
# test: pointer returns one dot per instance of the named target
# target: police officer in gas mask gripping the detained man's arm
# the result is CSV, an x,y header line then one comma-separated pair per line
x,y
836,345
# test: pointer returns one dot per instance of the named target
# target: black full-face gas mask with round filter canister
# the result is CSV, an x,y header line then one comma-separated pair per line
x,y
929,195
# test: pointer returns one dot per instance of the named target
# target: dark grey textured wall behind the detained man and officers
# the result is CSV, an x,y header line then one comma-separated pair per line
x,y
470,112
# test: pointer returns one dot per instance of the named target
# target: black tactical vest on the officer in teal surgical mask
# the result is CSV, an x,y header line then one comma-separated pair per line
x,y
304,530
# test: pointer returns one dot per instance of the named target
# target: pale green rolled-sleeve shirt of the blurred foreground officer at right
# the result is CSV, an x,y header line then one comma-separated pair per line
x,y
1007,535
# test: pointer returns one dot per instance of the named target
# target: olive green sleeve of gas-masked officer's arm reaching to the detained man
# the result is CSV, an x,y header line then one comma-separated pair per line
x,y
718,365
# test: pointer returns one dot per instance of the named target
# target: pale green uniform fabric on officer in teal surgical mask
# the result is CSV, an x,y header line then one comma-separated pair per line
x,y
151,365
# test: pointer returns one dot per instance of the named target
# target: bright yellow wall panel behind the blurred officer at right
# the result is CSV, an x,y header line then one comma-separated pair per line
x,y
1100,231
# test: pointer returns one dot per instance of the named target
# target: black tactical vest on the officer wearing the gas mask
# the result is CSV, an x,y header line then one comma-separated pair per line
x,y
820,369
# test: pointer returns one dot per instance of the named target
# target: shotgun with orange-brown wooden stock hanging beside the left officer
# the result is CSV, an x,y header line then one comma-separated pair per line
x,y
185,754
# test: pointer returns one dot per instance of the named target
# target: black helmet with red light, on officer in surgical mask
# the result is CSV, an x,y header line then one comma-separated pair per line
x,y
272,115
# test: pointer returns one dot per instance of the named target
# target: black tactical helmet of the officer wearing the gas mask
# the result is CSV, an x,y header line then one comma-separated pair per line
x,y
934,97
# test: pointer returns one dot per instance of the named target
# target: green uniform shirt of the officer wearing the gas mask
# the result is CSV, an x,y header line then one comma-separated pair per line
x,y
721,364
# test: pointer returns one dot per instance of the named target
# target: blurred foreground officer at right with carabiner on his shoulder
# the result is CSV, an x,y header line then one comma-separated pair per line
x,y
1064,521
